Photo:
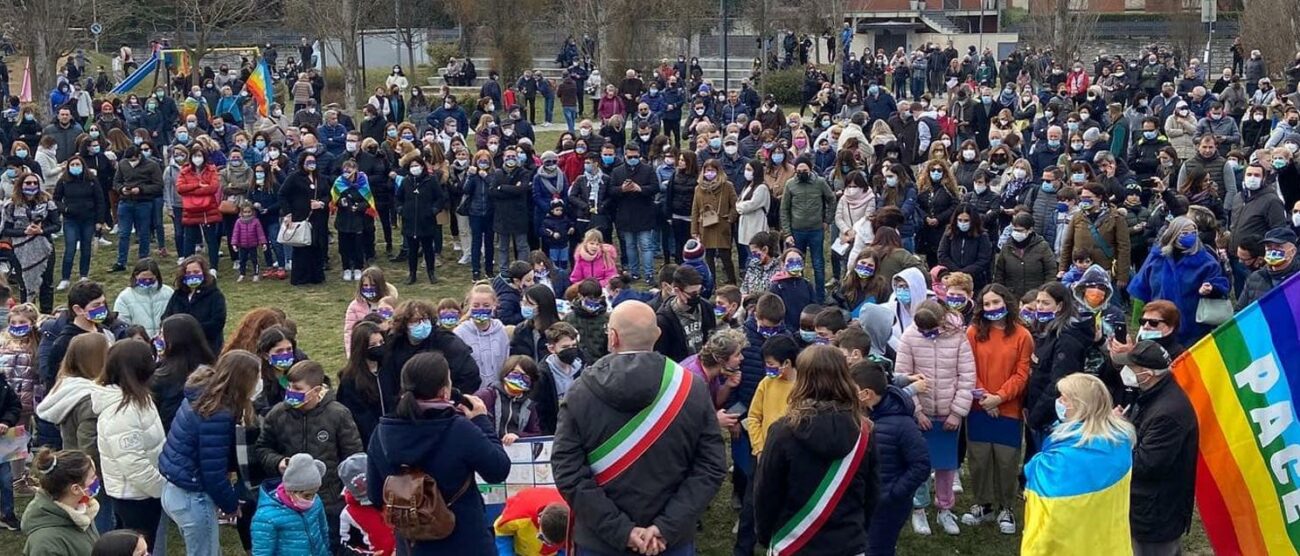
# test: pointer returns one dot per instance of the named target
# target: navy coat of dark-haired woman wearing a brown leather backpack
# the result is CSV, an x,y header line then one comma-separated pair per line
x,y
450,449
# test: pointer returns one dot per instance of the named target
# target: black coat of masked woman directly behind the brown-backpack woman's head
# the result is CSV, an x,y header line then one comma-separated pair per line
x,y
465,371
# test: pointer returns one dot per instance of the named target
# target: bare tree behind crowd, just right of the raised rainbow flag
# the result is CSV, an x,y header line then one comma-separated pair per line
x,y
339,25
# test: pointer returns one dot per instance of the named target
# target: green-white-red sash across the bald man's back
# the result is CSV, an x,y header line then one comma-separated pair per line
x,y
618,453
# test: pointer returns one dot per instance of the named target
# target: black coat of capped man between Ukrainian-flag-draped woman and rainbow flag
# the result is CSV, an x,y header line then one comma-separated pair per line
x,y
1164,475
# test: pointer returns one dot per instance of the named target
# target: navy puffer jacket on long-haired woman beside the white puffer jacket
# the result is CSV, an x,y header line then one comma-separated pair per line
x,y
198,454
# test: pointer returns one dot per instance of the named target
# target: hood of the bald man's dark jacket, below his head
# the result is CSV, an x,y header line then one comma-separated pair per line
x,y
627,383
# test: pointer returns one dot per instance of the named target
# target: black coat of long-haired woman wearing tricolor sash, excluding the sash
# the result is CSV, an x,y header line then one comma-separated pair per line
x,y
791,471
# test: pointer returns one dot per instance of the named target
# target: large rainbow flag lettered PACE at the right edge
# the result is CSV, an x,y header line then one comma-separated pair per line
x,y
1243,381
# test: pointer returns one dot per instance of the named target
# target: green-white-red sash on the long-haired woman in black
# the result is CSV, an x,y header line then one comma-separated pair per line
x,y
808,522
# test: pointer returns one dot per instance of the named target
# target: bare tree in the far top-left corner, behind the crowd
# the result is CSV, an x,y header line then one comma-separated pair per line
x,y
47,31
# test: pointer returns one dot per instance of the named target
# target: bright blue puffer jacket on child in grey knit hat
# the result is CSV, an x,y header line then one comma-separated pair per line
x,y
280,531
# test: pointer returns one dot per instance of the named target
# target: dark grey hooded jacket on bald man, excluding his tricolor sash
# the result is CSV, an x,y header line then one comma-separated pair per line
x,y
670,486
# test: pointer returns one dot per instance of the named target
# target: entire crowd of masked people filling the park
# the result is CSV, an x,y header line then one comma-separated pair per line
x,y
1017,255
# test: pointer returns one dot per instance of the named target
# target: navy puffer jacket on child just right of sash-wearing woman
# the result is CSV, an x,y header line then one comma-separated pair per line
x,y
902,451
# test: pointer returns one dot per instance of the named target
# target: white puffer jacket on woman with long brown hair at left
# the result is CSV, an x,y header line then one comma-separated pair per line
x,y
131,441
